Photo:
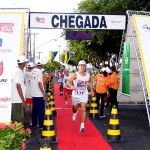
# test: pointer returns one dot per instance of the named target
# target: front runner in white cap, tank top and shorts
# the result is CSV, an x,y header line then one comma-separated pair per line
x,y
80,79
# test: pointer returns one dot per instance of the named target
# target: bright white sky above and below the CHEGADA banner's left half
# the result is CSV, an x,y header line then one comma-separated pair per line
x,y
42,46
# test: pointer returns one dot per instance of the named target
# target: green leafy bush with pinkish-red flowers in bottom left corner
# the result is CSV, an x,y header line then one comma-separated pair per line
x,y
13,136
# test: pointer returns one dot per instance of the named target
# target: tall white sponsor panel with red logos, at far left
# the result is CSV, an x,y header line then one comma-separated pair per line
x,y
11,43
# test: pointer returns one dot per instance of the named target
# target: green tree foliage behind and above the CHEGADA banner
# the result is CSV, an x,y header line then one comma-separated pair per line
x,y
104,43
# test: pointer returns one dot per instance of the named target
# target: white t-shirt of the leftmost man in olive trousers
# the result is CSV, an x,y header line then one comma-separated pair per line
x,y
18,77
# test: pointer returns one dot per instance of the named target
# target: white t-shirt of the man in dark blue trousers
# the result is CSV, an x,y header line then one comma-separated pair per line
x,y
36,78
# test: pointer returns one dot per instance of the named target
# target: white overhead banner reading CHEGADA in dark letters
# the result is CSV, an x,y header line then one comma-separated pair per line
x,y
77,21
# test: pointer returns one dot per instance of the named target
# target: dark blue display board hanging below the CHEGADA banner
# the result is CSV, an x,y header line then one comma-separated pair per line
x,y
78,35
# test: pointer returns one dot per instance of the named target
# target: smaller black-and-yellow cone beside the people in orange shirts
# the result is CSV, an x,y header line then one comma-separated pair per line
x,y
93,114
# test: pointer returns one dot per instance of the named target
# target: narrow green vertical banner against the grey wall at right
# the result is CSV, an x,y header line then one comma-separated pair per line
x,y
126,69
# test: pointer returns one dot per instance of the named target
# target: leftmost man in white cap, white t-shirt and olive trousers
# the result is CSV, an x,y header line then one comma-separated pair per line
x,y
18,91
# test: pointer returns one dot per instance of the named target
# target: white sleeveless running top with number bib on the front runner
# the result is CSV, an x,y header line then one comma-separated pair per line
x,y
81,83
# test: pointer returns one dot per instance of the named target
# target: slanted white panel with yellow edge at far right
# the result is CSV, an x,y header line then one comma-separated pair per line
x,y
142,26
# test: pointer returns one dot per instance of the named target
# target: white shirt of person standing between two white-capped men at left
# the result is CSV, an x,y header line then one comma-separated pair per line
x,y
28,77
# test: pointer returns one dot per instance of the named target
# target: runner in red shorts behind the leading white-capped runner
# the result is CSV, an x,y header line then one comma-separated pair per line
x,y
67,90
